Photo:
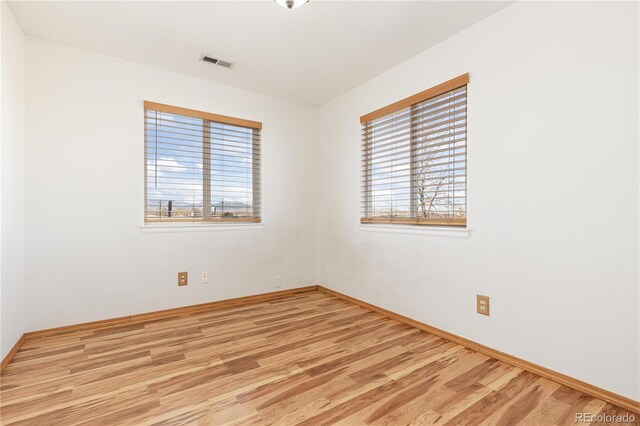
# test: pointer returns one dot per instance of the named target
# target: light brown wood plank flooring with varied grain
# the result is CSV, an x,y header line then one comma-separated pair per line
x,y
308,359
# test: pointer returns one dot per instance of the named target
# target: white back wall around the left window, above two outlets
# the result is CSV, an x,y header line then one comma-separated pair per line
x,y
86,256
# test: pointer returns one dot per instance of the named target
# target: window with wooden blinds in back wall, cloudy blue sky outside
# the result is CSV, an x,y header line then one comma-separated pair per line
x,y
200,167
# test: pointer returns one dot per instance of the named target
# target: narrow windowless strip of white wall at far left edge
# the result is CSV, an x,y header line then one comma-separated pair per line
x,y
12,184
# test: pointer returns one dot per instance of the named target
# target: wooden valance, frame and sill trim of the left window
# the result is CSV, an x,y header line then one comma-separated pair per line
x,y
207,118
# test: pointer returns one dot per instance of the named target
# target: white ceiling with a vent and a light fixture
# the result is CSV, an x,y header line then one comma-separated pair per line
x,y
311,54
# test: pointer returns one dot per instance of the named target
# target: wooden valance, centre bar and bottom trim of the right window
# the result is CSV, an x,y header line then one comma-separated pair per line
x,y
409,103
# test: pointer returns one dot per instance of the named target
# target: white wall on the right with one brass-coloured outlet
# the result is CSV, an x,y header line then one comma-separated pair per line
x,y
552,193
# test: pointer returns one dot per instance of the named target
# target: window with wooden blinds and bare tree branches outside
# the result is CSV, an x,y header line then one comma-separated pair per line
x,y
414,158
